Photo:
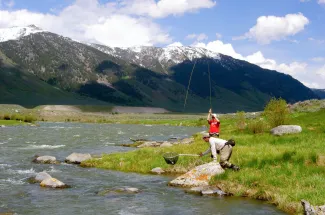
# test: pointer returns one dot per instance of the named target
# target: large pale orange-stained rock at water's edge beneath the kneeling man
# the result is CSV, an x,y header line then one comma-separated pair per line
x,y
199,176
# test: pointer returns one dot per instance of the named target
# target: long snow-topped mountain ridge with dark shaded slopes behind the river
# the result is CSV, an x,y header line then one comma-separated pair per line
x,y
149,76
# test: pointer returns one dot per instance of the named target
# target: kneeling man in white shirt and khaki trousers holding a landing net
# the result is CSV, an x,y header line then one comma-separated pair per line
x,y
223,147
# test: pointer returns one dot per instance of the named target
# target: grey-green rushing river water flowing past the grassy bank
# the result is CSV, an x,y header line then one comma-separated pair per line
x,y
18,145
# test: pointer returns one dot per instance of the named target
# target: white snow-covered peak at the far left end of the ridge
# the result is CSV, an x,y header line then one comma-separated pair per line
x,y
15,33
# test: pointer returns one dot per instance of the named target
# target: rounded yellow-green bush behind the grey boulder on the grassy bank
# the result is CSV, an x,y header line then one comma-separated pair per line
x,y
276,112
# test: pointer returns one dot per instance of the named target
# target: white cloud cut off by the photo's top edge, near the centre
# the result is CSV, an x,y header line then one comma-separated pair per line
x,y
162,8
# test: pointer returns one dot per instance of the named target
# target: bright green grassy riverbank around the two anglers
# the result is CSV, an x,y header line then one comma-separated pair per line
x,y
281,170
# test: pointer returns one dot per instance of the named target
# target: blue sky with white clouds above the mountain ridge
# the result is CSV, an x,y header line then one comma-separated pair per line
x,y
283,35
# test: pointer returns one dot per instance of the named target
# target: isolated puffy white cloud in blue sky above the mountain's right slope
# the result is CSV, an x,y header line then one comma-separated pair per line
x,y
273,28
